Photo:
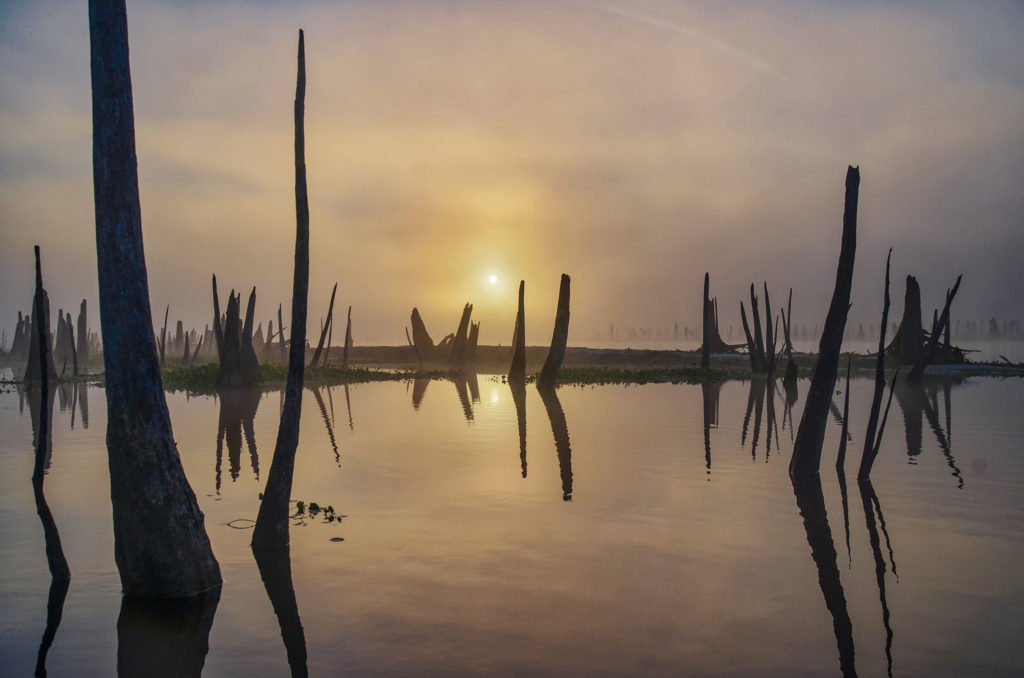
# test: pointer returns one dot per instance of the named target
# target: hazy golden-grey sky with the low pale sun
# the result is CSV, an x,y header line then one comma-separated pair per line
x,y
631,145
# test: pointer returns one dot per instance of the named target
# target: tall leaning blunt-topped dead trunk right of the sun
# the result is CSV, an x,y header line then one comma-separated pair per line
x,y
810,435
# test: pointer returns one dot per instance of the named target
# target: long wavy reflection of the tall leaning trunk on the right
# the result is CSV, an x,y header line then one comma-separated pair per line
x,y
812,503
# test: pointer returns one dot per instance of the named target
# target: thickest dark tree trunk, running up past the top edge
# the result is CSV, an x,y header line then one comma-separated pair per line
x,y
160,543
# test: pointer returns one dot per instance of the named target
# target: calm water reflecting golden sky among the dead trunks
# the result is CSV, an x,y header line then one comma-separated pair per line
x,y
623,540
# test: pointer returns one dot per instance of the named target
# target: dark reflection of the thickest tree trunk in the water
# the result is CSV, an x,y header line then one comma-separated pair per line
x,y
165,639
